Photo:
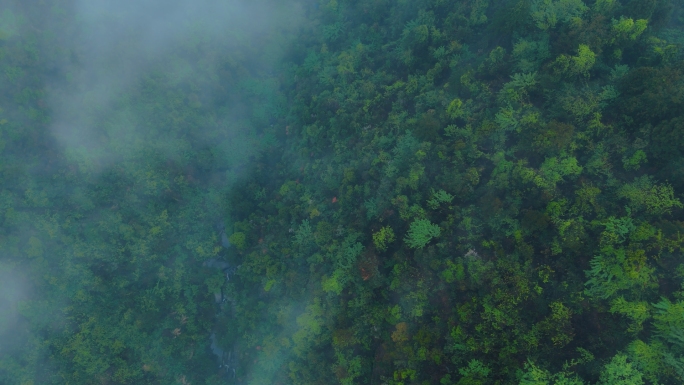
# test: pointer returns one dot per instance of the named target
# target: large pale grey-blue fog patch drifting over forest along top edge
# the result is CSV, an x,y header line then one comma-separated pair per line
x,y
117,46
